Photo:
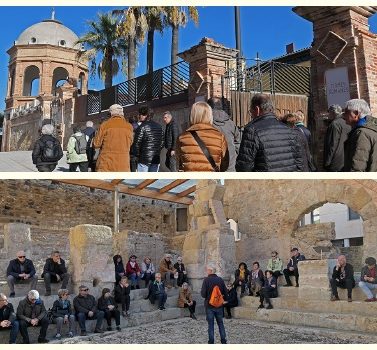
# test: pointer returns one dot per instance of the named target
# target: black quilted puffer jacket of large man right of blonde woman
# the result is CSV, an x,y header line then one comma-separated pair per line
x,y
269,145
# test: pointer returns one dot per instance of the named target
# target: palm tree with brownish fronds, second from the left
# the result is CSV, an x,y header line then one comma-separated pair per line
x,y
132,27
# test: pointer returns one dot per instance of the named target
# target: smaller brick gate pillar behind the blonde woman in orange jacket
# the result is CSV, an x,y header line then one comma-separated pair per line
x,y
208,63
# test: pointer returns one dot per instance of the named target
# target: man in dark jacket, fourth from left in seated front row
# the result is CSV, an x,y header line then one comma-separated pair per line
x,y
86,308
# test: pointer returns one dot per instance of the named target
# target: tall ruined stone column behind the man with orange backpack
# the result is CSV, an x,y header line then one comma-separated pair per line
x,y
210,240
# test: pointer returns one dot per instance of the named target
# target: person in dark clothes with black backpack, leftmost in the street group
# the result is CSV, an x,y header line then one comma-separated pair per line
x,y
47,150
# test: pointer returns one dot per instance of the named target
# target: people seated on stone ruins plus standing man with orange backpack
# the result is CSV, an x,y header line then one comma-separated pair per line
x,y
31,311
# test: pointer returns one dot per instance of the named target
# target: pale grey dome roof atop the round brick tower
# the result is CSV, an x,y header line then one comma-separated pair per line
x,y
50,32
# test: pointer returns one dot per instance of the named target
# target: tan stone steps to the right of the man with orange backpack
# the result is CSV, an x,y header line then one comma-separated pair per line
x,y
357,316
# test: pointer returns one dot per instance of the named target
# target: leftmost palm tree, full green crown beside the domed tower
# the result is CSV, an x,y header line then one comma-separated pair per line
x,y
102,40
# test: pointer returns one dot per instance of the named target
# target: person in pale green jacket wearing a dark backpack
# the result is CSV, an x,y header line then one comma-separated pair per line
x,y
76,151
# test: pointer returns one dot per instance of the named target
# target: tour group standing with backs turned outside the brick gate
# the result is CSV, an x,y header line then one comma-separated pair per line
x,y
213,142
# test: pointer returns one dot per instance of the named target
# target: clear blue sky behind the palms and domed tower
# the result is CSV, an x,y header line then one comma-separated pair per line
x,y
265,29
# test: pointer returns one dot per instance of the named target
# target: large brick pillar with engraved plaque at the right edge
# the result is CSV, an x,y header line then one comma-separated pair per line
x,y
343,53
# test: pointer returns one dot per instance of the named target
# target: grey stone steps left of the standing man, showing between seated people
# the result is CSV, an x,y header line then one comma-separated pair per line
x,y
141,310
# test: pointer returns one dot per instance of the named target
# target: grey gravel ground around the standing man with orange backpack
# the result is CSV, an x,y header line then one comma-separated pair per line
x,y
188,331
